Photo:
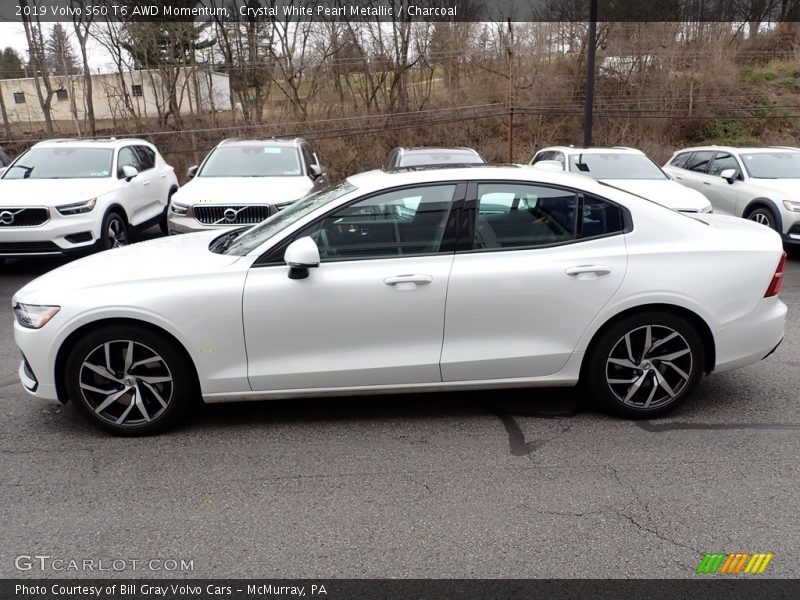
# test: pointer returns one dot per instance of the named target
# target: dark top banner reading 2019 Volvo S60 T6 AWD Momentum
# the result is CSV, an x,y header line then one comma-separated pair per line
x,y
500,11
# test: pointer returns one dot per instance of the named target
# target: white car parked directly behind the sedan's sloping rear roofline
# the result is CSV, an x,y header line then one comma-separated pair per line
x,y
626,168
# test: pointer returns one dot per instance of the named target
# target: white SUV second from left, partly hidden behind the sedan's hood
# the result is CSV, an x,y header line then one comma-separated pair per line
x,y
242,182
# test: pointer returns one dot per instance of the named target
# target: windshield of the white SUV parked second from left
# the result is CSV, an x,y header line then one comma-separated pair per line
x,y
252,161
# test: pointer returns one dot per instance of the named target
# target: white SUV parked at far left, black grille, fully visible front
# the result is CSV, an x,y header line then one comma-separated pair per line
x,y
70,195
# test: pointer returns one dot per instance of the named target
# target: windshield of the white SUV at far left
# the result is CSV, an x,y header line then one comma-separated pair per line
x,y
62,163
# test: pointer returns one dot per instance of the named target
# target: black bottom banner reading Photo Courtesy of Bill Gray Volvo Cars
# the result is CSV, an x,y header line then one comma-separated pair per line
x,y
747,587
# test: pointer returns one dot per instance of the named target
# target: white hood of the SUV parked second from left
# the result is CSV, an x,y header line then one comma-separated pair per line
x,y
243,190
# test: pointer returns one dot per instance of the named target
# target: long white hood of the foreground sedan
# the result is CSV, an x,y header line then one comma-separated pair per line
x,y
166,259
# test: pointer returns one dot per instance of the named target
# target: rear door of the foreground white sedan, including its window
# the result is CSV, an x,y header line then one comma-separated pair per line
x,y
539,264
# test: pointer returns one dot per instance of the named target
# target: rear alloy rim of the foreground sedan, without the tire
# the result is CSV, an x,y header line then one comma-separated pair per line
x,y
649,367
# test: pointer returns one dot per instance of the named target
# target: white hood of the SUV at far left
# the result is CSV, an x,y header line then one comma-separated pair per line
x,y
53,192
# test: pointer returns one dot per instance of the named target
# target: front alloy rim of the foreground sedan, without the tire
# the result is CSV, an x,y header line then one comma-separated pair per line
x,y
126,383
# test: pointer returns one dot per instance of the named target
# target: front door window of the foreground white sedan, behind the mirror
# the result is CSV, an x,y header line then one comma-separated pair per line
x,y
405,222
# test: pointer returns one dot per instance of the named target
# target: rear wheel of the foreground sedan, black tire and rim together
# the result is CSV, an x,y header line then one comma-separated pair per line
x,y
638,383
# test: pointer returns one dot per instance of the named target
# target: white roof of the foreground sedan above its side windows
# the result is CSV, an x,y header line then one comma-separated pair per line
x,y
379,179
